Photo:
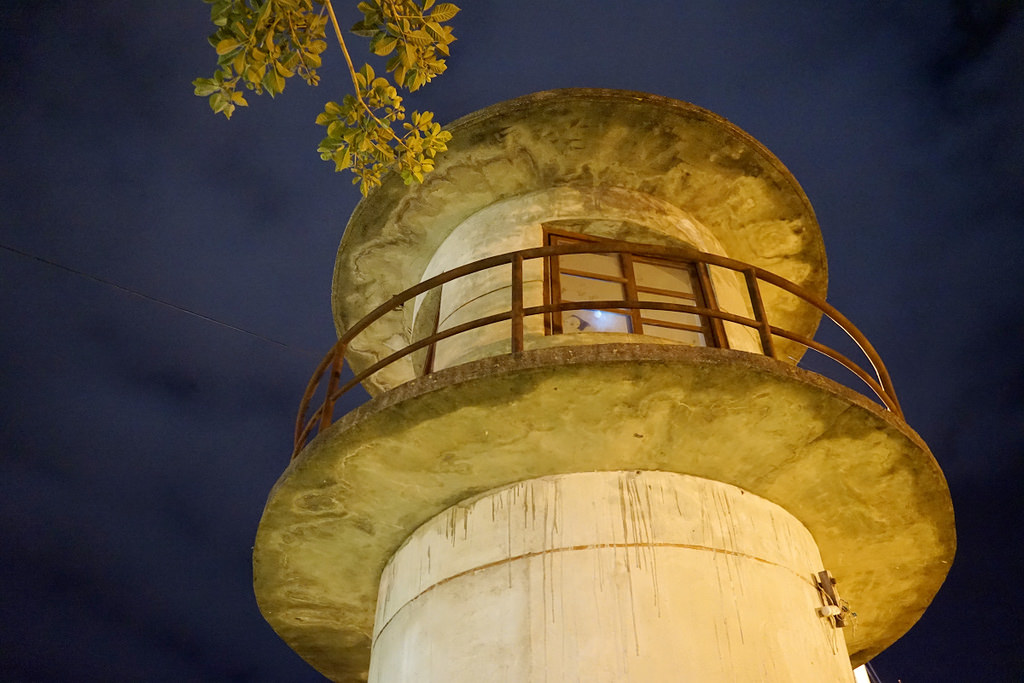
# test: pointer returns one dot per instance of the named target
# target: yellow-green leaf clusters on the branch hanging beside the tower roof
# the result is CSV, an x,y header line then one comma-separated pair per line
x,y
262,44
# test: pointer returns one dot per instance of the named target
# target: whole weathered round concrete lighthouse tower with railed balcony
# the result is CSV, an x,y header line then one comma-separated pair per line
x,y
591,453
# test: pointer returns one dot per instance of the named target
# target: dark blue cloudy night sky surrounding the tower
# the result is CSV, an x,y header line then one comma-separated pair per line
x,y
165,285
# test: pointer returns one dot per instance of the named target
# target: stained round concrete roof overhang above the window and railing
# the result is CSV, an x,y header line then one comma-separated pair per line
x,y
672,170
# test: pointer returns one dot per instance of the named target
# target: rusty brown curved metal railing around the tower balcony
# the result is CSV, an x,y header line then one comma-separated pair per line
x,y
331,366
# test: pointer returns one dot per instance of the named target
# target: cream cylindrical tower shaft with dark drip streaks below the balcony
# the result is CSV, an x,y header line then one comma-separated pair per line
x,y
608,578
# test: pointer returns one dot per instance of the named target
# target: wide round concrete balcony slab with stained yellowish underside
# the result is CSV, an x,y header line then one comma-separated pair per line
x,y
858,478
